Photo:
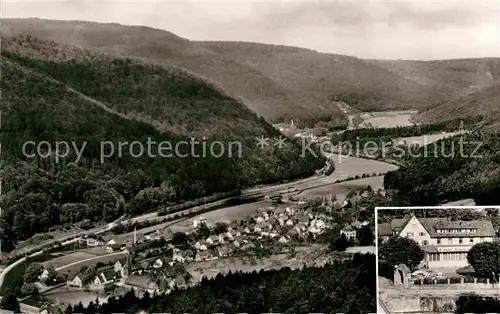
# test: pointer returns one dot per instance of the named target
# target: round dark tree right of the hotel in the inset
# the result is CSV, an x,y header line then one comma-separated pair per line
x,y
485,259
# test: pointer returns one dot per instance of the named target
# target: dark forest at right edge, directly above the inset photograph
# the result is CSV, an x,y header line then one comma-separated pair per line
x,y
451,169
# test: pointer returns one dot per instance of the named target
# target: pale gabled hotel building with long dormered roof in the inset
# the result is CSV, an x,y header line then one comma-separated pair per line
x,y
445,242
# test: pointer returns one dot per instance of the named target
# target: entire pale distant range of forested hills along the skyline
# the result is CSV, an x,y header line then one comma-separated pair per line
x,y
282,83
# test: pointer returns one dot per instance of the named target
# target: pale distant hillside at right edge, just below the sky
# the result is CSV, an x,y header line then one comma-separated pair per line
x,y
472,86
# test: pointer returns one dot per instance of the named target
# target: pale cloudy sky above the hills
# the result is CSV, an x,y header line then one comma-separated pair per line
x,y
397,29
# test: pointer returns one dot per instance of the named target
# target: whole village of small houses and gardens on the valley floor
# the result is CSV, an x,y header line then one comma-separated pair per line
x,y
161,260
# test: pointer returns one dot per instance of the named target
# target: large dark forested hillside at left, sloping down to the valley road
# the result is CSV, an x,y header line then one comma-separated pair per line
x,y
59,93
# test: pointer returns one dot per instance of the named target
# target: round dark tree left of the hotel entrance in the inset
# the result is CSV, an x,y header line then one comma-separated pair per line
x,y
399,250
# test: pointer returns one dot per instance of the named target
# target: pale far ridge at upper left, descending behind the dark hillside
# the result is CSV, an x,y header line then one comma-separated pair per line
x,y
262,94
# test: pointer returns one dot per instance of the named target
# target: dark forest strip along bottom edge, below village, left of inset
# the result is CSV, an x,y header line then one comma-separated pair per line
x,y
341,287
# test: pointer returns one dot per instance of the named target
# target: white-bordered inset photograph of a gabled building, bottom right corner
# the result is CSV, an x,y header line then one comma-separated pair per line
x,y
438,259
